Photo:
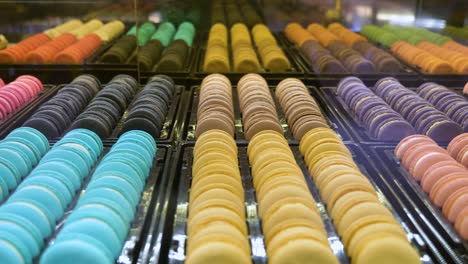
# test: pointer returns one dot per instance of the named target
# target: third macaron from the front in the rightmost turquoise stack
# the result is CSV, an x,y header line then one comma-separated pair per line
x,y
103,213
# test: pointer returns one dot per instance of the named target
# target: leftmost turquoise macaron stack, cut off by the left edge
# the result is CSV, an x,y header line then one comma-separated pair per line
x,y
20,151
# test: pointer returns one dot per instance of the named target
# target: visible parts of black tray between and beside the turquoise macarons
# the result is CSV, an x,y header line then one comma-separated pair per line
x,y
147,213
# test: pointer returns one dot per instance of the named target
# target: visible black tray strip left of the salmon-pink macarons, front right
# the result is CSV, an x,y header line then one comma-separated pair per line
x,y
442,234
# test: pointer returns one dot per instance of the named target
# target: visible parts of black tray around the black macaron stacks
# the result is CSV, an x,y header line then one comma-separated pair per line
x,y
167,134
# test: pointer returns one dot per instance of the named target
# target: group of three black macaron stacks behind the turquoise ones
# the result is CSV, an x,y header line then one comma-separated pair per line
x,y
84,103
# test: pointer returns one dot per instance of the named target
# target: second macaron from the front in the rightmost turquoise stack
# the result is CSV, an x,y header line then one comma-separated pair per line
x,y
98,229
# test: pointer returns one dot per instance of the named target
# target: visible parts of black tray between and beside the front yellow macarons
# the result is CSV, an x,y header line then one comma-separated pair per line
x,y
173,237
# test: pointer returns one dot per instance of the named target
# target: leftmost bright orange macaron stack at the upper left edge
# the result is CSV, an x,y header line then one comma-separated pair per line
x,y
17,53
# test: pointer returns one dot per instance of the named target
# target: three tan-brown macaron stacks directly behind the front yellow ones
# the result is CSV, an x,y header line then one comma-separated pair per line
x,y
258,108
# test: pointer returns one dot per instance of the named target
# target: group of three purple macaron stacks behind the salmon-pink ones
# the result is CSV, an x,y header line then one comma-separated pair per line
x,y
390,111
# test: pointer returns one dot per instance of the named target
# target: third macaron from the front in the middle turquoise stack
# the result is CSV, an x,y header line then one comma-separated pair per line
x,y
37,214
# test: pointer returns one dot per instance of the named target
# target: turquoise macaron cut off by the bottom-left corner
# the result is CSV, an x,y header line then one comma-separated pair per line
x,y
13,250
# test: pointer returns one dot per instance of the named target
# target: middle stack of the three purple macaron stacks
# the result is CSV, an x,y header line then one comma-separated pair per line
x,y
424,117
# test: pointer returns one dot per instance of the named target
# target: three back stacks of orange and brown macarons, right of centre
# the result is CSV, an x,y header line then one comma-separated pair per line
x,y
337,49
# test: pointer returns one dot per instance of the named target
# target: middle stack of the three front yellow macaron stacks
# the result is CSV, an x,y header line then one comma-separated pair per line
x,y
291,223
